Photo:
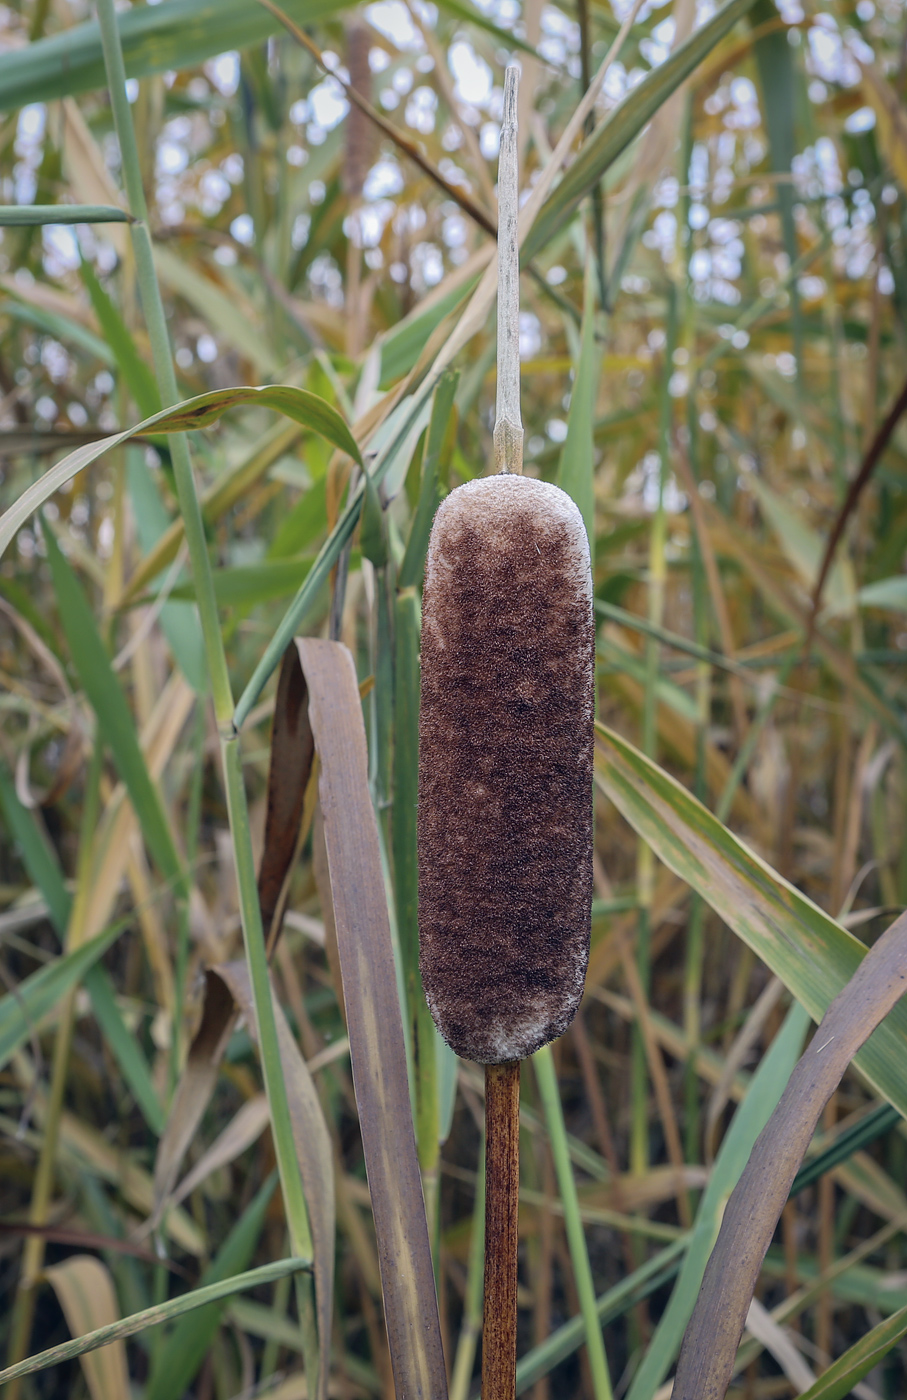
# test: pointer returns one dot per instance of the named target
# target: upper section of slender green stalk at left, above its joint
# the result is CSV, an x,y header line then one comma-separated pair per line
x,y
162,355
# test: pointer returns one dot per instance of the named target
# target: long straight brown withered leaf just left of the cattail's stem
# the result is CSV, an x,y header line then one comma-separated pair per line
x,y
374,1021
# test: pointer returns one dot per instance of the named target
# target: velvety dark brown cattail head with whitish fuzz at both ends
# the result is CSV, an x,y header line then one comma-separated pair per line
x,y
506,768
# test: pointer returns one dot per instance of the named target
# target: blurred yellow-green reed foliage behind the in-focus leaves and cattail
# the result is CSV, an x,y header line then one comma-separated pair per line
x,y
710,348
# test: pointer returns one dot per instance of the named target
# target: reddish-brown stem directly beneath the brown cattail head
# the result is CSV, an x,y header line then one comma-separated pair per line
x,y
499,1324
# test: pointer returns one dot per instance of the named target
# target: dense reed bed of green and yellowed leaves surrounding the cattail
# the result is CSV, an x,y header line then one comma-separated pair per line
x,y
247,346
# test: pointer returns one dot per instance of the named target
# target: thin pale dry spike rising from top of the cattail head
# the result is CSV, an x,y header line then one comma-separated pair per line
x,y
509,422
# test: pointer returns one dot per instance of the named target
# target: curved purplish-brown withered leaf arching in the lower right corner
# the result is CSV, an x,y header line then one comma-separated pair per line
x,y
715,1332
